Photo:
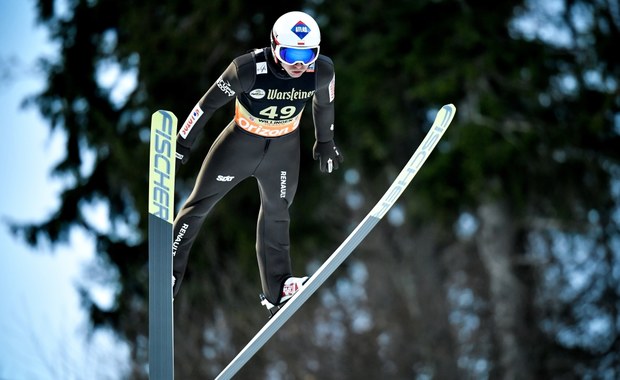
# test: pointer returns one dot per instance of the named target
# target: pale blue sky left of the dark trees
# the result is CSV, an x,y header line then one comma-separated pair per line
x,y
42,327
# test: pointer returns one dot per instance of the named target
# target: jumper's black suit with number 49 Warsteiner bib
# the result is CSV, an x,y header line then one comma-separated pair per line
x,y
262,141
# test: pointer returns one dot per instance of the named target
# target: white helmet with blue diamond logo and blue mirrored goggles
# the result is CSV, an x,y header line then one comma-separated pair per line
x,y
295,38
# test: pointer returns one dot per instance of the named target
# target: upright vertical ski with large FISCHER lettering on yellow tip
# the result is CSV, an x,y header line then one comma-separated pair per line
x,y
161,210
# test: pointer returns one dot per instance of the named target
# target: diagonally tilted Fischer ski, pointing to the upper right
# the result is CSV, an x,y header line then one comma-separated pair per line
x,y
441,123
